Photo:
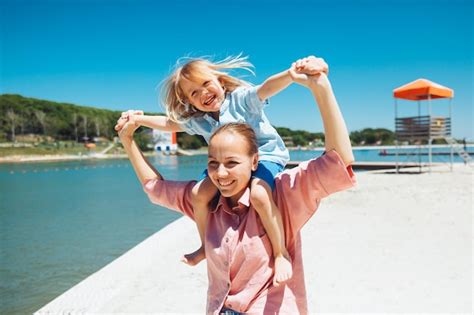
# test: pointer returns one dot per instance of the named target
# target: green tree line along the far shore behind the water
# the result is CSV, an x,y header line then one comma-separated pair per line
x,y
62,121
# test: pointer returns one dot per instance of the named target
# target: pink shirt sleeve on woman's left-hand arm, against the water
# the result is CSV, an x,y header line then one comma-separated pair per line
x,y
175,195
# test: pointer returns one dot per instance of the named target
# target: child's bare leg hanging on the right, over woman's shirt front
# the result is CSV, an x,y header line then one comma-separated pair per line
x,y
261,198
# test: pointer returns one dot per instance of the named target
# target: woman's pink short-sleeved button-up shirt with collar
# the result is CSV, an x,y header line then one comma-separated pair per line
x,y
238,250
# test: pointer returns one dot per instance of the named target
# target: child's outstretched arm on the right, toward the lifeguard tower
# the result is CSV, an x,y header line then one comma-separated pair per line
x,y
280,81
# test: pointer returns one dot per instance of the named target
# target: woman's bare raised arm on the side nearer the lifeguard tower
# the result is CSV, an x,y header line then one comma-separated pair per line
x,y
335,130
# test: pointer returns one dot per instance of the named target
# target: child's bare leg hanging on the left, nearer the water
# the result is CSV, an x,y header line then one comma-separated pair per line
x,y
202,194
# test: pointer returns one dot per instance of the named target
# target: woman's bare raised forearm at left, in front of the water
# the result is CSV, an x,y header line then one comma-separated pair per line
x,y
144,170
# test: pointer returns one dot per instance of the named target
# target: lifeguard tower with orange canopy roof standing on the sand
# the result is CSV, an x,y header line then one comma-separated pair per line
x,y
425,128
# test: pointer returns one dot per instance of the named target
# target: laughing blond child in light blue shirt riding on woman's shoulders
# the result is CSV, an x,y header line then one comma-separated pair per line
x,y
199,96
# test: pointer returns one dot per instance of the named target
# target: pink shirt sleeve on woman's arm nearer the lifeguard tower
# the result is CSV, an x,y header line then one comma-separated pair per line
x,y
300,190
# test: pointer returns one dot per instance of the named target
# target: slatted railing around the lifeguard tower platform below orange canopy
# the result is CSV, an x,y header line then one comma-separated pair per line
x,y
422,128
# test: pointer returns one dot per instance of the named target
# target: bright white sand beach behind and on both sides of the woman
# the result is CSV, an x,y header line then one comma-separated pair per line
x,y
394,244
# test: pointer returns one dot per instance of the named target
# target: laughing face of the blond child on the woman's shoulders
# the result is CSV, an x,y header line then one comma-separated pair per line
x,y
206,96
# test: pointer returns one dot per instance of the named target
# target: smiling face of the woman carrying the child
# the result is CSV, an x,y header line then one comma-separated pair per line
x,y
230,166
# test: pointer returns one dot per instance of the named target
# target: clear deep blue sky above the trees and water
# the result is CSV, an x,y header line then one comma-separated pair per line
x,y
112,54
